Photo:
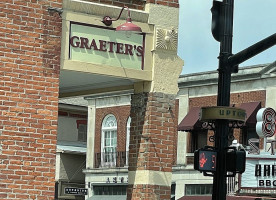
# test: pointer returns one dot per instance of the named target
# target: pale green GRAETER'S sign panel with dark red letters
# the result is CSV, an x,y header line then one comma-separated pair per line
x,y
103,46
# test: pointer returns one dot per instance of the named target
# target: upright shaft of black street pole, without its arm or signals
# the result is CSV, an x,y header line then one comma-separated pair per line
x,y
223,99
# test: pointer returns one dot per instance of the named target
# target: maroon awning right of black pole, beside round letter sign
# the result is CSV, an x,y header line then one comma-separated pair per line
x,y
251,109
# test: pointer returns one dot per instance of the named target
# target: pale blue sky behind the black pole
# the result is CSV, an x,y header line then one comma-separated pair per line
x,y
254,20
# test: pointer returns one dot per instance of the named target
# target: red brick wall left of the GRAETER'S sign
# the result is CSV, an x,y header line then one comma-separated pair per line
x,y
29,71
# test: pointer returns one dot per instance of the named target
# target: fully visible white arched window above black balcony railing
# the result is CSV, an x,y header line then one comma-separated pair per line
x,y
109,141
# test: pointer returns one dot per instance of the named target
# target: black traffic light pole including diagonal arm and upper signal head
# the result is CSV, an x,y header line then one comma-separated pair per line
x,y
223,32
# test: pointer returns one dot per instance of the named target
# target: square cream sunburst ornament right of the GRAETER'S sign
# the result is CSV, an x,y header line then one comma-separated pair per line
x,y
166,39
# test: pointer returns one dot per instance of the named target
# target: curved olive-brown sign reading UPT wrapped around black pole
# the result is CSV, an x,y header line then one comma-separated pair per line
x,y
219,112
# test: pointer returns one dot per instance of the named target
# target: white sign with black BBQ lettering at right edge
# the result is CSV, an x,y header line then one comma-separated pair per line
x,y
259,173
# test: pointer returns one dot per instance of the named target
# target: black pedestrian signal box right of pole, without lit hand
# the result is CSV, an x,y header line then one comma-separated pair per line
x,y
235,160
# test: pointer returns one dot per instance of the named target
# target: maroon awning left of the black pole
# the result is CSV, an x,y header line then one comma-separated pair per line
x,y
190,121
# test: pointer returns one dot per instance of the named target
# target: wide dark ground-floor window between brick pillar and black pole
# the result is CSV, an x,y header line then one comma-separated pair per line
x,y
197,190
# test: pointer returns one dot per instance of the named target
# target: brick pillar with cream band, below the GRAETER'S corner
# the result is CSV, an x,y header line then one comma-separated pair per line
x,y
151,150
